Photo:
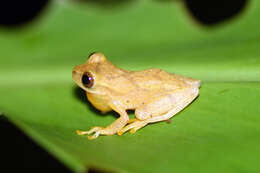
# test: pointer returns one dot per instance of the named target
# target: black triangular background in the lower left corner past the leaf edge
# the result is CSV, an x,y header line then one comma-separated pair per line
x,y
19,153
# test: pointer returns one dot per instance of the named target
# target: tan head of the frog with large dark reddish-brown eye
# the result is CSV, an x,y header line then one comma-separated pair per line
x,y
94,75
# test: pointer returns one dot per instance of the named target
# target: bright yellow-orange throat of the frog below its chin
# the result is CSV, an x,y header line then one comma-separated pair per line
x,y
99,102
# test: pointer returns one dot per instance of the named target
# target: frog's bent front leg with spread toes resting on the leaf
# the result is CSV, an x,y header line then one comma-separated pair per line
x,y
112,128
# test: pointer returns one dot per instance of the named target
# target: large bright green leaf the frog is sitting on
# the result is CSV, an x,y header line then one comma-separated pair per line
x,y
218,132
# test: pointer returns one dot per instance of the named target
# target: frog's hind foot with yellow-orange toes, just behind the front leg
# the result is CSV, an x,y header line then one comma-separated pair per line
x,y
133,126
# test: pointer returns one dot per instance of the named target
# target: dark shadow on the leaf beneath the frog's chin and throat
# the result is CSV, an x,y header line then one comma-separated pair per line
x,y
80,94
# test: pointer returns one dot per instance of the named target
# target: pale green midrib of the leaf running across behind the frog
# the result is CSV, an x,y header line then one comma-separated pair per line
x,y
216,74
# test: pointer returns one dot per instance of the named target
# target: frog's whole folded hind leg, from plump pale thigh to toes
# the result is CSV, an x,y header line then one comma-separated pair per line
x,y
161,109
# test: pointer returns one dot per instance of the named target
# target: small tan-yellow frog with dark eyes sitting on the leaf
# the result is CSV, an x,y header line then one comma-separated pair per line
x,y
153,94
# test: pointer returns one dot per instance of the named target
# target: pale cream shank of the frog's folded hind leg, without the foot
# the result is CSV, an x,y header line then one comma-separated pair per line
x,y
179,100
